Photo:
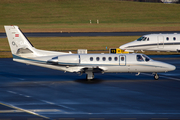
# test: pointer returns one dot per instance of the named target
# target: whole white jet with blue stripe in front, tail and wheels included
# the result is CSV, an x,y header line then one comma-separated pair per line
x,y
24,52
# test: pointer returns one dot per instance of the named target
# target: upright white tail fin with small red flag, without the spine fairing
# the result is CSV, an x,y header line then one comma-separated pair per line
x,y
18,43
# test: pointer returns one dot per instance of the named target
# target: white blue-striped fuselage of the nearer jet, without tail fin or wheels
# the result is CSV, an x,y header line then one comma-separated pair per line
x,y
100,63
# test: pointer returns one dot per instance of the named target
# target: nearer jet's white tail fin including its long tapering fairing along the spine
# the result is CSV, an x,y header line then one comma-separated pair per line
x,y
21,47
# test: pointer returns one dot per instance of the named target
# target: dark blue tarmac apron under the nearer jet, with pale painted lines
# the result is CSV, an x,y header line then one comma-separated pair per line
x,y
29,92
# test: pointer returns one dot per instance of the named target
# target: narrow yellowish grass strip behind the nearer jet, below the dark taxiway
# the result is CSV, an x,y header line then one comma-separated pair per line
x,y
66,44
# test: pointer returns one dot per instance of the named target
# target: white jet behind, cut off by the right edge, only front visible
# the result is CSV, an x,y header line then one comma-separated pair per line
x,y
154,42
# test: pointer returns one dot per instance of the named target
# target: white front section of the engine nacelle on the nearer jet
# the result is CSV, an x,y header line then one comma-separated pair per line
x,y
69,60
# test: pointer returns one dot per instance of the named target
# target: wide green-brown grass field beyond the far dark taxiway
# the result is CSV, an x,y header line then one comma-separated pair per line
x,y
75,15
